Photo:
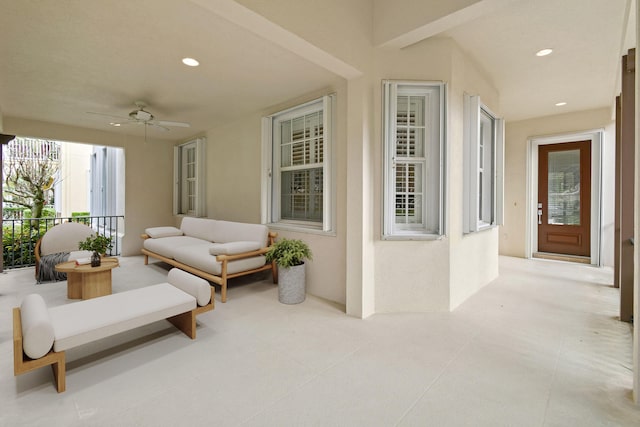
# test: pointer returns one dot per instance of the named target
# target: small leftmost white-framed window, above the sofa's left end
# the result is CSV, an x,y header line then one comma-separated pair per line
x,y
189,178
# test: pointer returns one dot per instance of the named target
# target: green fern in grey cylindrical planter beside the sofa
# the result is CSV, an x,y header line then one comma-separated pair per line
x,y
289,255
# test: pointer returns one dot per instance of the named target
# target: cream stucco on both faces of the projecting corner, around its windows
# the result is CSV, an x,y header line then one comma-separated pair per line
x,y
434,275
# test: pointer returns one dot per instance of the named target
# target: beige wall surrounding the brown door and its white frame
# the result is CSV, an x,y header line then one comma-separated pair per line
x,y
513,233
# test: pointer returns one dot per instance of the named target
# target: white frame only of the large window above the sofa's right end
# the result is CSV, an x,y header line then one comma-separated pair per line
x,y
271,173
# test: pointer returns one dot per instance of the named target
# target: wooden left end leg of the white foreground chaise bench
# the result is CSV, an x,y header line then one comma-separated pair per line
x,y
23,364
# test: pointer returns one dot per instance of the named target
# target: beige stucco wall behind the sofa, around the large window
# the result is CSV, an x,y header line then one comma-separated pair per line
x,y
234,175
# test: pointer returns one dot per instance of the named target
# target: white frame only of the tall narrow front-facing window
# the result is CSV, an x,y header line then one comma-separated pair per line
x,y
432,222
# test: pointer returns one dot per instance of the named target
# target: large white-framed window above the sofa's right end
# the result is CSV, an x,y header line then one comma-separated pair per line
x,y
298,180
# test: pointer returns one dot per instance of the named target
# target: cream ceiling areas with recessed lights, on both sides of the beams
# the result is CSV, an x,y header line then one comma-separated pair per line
x,y
61,59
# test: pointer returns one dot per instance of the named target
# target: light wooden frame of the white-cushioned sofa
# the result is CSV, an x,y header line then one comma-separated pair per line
x,y
224,259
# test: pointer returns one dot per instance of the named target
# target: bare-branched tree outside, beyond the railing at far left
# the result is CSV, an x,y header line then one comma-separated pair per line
x,y
30,167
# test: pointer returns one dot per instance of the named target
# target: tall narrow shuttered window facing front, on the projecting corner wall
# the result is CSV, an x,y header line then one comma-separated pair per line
x,y
414,136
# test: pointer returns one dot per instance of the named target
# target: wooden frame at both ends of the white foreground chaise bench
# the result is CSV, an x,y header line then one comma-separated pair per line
x,y
186,322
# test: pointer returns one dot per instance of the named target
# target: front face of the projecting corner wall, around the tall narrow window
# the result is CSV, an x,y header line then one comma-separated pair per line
x,y
409,275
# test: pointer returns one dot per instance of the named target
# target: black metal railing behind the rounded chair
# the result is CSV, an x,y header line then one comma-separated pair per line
x,y
19,236
